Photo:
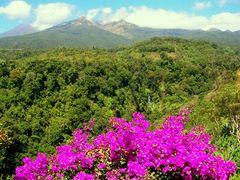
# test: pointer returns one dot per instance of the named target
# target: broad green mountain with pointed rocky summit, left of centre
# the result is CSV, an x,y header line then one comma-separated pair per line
x,y
77,33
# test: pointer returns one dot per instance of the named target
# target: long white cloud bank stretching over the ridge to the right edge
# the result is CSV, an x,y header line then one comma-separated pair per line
x,y
161,18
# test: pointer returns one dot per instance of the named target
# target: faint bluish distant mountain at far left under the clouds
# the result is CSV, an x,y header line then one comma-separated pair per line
x,y
20,30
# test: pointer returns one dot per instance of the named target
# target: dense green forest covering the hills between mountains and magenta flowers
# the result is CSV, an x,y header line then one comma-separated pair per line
x,y
46,95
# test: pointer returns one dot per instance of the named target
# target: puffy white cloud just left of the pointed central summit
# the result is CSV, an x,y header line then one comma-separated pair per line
x,y
51,14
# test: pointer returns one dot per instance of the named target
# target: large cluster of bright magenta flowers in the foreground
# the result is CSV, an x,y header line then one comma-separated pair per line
x,y
129,150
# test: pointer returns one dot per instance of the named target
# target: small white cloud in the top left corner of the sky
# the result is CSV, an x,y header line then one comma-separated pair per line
x,y
16,10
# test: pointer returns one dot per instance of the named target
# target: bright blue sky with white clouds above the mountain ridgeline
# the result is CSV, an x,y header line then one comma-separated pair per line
x,y
187,14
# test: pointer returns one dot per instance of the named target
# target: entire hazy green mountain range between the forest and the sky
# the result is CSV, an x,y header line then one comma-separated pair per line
x,y
85,33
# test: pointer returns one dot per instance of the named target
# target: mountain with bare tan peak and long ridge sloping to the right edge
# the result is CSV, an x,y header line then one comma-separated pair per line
x,y
141,33
